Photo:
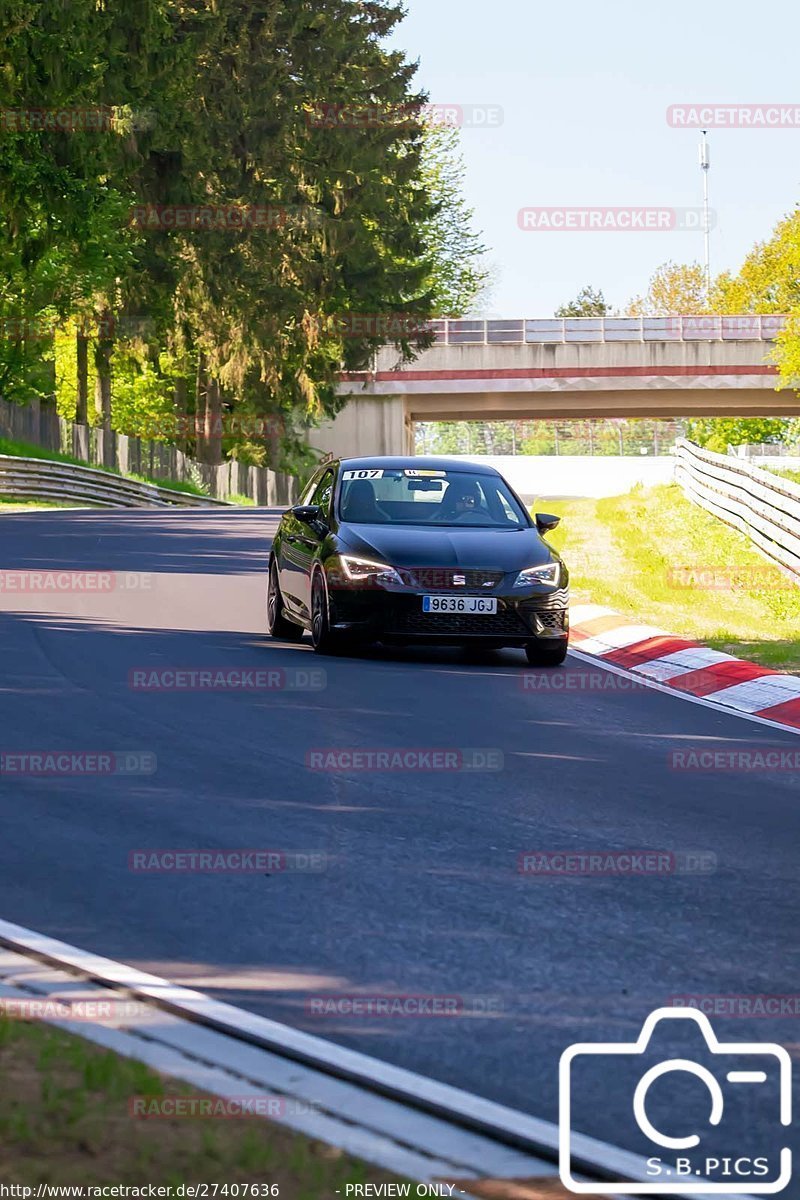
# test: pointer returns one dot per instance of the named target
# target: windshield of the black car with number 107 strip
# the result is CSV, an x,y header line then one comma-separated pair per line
x,y
420,497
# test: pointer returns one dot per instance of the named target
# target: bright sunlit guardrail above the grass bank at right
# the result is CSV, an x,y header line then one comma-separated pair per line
x,y
761,505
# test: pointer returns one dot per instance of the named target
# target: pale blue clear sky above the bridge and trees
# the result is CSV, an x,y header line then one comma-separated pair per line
x,y
585,88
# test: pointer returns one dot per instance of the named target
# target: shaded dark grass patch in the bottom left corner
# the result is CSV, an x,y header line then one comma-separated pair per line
x,y
65,1119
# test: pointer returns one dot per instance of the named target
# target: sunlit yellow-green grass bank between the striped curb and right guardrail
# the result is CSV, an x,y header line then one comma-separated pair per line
x,y
659,560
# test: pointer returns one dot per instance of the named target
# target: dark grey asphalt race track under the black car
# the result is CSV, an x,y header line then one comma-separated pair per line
x,y
422,895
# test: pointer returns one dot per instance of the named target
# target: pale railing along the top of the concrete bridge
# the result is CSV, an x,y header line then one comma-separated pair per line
x,y
521,332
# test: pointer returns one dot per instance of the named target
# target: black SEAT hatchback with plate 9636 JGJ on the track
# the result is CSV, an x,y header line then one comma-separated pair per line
x,y
417,550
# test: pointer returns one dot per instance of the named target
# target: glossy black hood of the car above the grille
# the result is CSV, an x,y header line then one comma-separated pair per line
x,y
507,550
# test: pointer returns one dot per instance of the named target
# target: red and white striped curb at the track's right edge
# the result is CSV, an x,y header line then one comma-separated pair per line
x,y
687,667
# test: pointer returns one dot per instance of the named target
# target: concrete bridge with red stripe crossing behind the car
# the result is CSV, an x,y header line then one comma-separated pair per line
x,y
554,369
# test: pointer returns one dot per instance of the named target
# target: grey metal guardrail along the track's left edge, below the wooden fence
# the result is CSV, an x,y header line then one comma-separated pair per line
x,y
41,479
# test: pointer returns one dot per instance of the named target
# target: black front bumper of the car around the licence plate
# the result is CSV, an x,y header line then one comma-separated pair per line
x,y
395,615
